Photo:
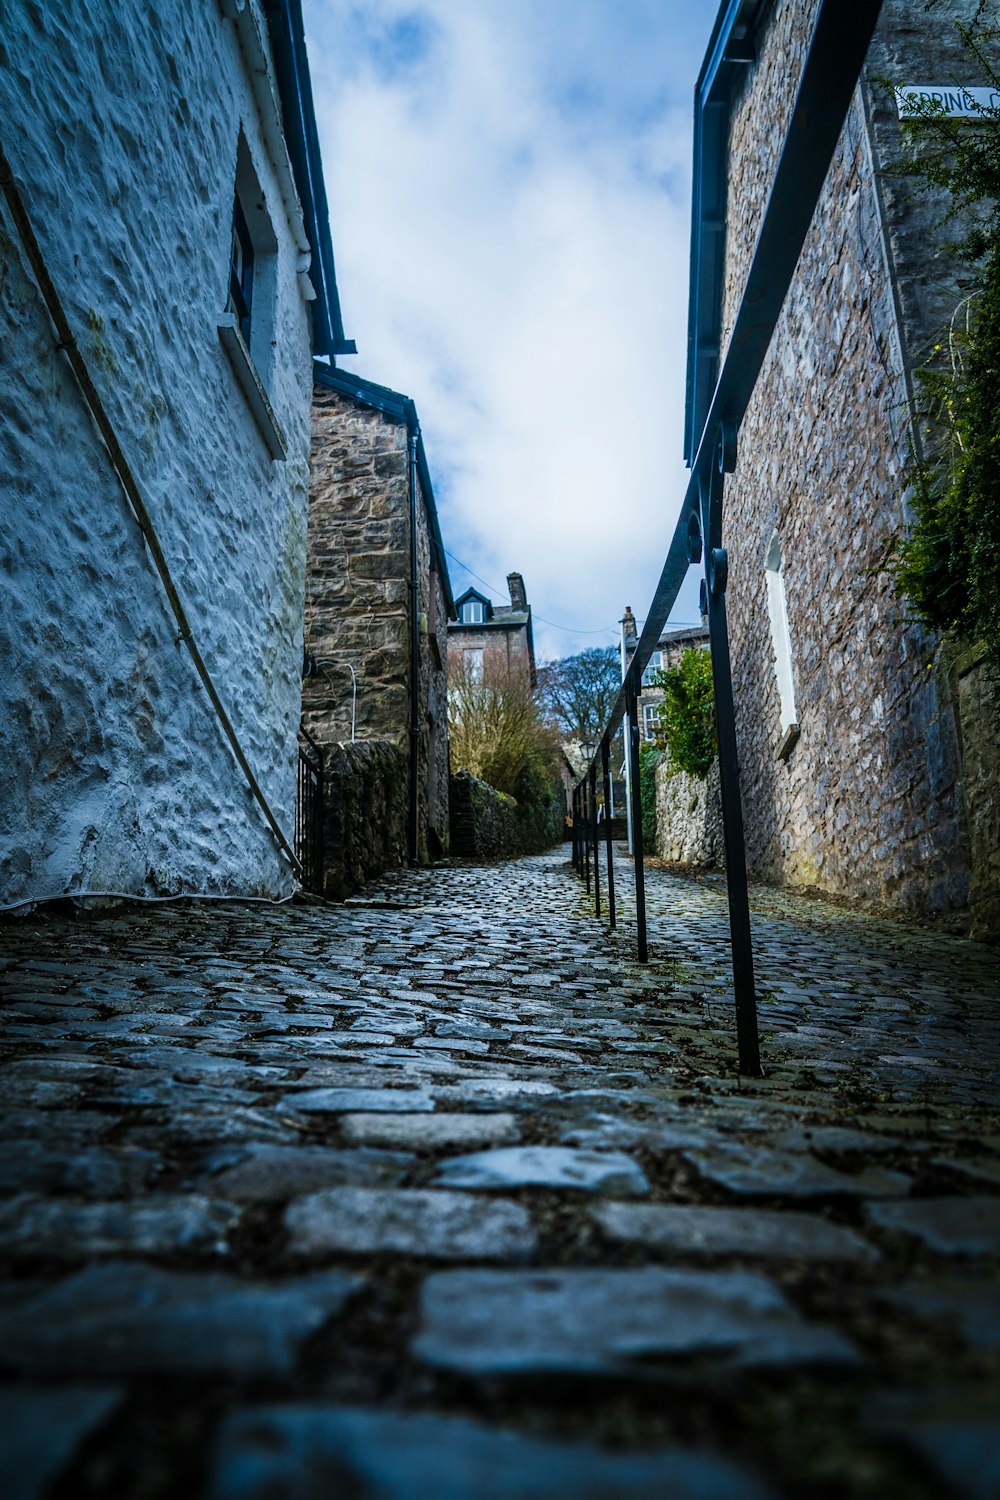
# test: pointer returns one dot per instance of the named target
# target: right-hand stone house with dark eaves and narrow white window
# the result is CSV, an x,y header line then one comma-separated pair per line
x,y
863,752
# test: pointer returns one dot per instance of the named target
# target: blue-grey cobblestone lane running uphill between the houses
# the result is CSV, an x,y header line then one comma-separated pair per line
x,y
440,1196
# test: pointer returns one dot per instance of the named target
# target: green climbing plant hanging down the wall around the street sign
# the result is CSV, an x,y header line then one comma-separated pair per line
x,y
950,562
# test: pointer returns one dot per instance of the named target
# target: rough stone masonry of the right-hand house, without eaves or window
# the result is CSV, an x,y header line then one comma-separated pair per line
x,y
869,803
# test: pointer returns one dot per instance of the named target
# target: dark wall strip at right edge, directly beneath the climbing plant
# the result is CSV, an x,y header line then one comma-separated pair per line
x,y
978,698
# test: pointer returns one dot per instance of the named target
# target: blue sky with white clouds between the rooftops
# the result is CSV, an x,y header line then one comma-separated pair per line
x,y
509,191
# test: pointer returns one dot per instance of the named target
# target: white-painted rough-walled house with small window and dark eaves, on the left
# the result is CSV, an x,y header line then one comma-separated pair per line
x,y
167,278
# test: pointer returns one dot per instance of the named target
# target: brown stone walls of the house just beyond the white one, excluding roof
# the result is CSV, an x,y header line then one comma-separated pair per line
x,y
358,601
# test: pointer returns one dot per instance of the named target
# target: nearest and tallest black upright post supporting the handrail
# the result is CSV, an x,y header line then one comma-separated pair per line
x,y
716,578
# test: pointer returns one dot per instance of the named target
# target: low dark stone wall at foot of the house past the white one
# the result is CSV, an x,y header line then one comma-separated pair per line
x,y
365,815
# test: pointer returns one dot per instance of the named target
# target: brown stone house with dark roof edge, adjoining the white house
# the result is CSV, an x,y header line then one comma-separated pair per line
x,y
379,604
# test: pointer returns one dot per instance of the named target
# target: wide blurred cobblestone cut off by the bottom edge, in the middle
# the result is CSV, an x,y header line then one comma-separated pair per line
x,y
302,1453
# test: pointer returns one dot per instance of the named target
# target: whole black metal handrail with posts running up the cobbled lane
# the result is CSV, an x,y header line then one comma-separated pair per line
x,y
830,76
